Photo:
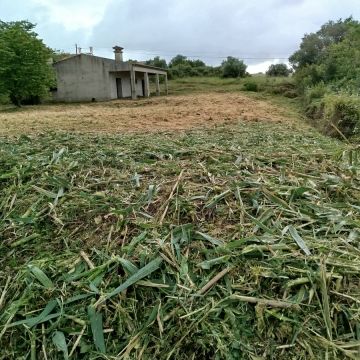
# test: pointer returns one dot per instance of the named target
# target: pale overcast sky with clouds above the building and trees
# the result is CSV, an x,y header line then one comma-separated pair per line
x,y
260,31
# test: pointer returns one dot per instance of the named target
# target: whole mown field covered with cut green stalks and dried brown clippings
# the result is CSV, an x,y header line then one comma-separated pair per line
x,y
213,225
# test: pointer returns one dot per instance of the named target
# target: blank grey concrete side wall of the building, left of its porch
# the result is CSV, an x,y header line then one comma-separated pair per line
x,y
83,78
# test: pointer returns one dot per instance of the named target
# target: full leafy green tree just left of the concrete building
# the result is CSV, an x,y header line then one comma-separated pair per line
x,y
24,70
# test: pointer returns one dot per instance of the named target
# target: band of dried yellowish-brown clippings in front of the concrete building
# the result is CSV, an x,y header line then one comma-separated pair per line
x,y
154,114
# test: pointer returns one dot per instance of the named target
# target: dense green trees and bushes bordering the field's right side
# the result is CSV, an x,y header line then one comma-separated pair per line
x,y
327,72
